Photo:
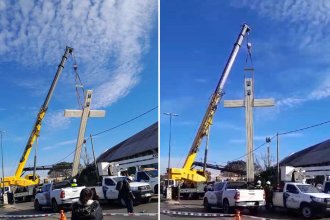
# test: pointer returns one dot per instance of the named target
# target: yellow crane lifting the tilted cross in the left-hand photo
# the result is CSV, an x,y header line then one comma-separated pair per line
x,y
32,179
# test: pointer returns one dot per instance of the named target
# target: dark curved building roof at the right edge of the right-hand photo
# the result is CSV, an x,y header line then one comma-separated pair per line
x,y
316,155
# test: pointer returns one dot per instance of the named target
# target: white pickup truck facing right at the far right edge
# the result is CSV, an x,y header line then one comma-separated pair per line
x,y
305,198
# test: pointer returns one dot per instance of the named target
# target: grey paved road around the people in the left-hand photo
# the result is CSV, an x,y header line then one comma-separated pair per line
x,y
27,209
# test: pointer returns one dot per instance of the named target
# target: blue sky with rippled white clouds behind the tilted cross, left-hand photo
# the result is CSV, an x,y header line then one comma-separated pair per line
x,y
116,48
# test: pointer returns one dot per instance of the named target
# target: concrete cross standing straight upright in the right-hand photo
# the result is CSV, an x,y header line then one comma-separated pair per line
x,y
249,103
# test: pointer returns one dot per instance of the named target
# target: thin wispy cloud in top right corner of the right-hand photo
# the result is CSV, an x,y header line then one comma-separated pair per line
x,y
314,15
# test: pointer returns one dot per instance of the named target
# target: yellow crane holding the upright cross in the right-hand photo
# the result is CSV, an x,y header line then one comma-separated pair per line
x,y
187,173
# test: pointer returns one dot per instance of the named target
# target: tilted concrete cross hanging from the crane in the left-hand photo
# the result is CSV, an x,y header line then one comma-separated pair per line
x,y
84,115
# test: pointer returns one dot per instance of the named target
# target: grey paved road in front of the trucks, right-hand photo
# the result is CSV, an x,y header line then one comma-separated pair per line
x,y
195,206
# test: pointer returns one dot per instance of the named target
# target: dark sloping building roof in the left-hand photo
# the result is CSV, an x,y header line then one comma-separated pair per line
x,y
143,143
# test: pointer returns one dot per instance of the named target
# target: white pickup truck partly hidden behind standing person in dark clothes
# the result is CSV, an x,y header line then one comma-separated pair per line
x,y
142,191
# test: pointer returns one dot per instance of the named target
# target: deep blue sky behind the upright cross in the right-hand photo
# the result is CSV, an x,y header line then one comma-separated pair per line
x,y
290,53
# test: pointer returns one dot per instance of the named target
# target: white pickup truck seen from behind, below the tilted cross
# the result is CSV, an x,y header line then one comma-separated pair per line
x,y
57,195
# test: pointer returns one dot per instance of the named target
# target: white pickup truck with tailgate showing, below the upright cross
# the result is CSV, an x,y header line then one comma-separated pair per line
x,y
231,195
